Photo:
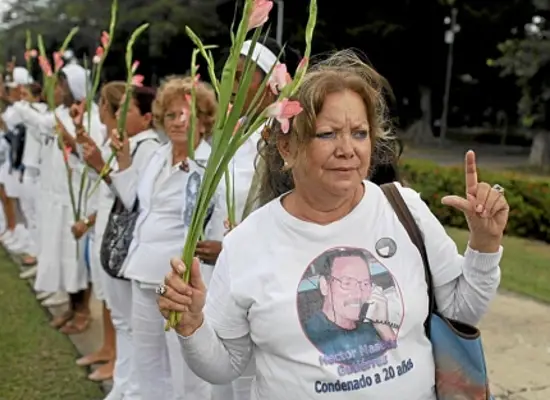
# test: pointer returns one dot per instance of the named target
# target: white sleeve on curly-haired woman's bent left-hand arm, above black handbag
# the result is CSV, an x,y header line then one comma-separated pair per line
x,y
125,183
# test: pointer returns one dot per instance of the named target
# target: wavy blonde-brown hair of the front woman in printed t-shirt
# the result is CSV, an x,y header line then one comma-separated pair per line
x,y
343,70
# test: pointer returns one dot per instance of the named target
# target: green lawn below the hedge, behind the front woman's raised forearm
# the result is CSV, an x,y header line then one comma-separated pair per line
x,y
525,265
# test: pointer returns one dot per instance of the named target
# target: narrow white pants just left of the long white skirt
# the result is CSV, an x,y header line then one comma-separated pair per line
x,y
29,206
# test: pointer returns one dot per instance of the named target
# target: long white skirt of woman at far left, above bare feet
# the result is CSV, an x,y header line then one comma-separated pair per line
x,y
58,267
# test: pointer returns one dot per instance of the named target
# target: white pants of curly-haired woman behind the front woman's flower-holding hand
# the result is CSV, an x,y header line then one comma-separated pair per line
x,y
157,365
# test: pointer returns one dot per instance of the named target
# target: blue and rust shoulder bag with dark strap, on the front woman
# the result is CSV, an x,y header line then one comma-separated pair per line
x,y
460,369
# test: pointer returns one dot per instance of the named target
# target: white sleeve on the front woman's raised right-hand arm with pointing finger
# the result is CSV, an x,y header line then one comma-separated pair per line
x,y
464,285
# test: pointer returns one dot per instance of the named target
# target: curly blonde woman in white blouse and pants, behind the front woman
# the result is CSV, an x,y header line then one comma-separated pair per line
x,y
165,193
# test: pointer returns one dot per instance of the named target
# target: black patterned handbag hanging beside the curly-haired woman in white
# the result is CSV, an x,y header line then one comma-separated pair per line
x,y
119,234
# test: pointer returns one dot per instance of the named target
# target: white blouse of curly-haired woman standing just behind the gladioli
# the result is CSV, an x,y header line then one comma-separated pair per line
x,y
167,196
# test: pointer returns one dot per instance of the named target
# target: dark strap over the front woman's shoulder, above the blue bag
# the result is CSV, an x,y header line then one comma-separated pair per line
x,y
407,220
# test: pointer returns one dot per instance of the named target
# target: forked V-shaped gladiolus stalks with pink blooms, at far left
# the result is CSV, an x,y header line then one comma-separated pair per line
x,y
50,80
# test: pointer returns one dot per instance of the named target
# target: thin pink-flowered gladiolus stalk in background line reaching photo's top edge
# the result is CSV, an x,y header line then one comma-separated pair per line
x,y
97,64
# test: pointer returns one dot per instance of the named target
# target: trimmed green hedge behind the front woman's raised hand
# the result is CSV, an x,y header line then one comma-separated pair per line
x,y
529,197
